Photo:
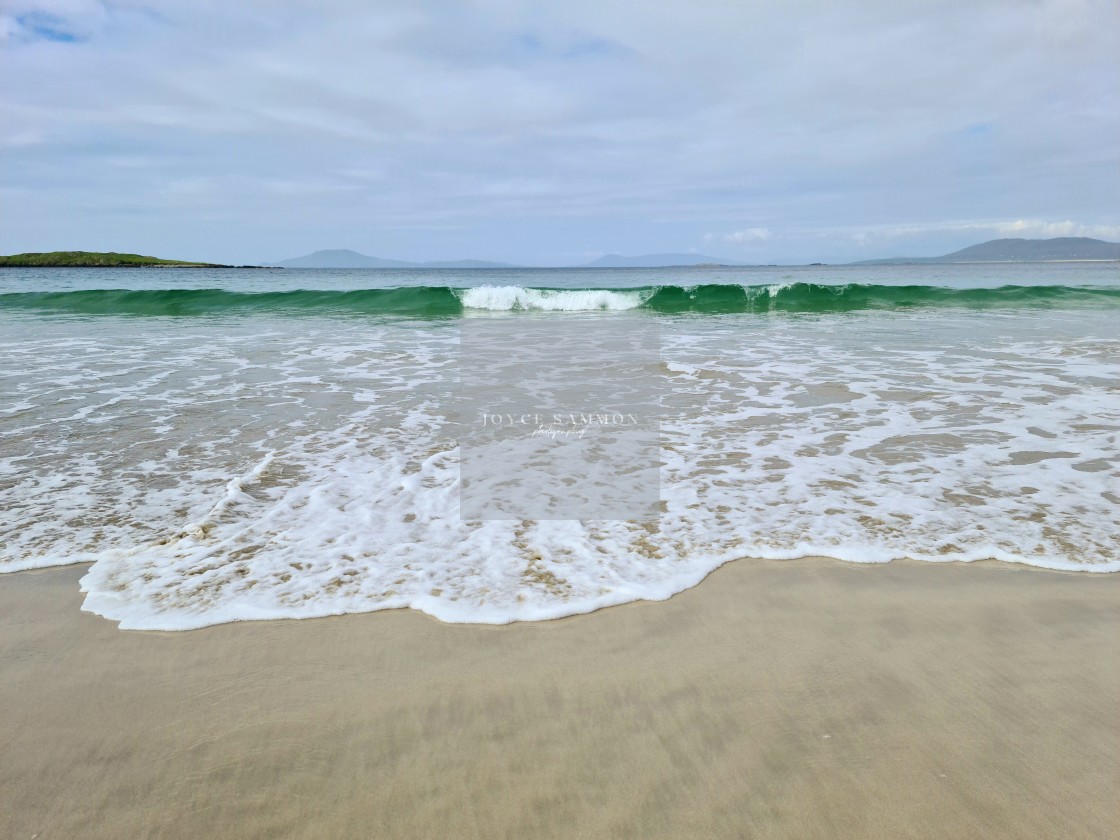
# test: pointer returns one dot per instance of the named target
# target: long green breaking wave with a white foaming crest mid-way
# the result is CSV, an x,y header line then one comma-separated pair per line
x,y
438,302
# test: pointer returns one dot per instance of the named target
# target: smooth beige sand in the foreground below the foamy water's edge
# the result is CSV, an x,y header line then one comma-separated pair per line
x,y
804,699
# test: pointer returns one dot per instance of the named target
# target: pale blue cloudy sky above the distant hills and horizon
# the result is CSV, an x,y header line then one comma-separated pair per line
x,y
552,133
